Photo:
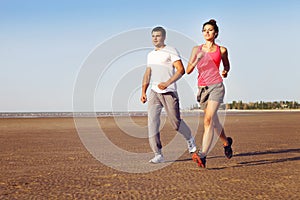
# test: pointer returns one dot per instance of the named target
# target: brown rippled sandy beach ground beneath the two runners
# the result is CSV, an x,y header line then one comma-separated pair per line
x,y
46,159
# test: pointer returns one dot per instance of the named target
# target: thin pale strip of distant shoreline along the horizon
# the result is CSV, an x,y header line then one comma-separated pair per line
x,y
4,115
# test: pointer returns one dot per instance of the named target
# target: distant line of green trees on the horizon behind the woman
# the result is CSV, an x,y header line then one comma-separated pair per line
x,y
259,105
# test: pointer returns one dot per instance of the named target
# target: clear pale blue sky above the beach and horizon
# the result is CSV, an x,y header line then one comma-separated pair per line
x,y
44,45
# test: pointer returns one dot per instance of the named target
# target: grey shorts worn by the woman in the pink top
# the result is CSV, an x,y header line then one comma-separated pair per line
x,y
213,92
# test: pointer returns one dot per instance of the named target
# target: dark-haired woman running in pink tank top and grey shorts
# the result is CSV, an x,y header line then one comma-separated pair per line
x,y
207,58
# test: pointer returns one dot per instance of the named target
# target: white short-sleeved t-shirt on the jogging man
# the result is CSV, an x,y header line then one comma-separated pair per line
x,y
162,69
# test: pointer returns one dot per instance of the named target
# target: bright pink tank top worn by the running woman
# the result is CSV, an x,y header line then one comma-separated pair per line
x,y
208,68
